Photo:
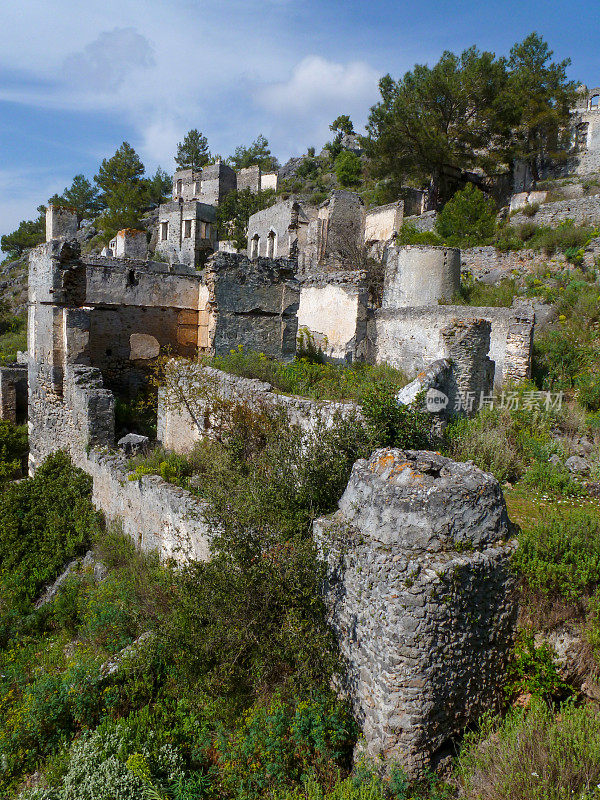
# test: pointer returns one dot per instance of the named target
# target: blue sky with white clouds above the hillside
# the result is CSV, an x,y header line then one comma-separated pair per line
x,y
79,78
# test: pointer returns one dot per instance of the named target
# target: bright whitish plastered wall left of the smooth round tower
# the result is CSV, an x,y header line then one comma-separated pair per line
x,y
333,312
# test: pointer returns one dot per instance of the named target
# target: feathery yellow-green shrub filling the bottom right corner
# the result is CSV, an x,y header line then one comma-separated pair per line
x,y
534,754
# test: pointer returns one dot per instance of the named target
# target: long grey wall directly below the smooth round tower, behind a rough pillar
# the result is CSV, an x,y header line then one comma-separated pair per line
x,y
411,338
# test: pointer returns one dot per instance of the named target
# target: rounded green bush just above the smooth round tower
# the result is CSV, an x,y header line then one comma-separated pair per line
x,y
468,219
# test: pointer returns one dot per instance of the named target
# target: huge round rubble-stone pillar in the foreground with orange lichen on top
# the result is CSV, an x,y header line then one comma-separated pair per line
x,y
419,591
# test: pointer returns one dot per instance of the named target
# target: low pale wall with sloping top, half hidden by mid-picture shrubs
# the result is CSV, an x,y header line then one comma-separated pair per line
x,y
190,391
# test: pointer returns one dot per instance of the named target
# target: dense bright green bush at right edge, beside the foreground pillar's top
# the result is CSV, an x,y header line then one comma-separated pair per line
x,y
561,556
